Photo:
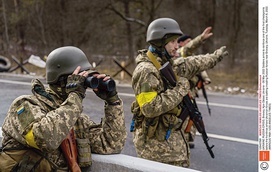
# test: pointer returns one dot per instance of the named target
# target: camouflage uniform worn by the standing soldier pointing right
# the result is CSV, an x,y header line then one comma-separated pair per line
x,y
175,150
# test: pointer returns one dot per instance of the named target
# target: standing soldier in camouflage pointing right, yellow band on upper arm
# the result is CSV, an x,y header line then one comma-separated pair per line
x,y
155,111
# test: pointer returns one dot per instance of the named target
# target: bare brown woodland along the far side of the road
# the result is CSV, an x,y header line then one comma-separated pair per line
x,y
116,29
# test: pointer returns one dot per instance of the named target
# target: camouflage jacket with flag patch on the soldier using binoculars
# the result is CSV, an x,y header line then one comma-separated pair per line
x,y
47,119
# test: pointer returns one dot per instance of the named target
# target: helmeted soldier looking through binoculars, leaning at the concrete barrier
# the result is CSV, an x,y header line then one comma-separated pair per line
x,y
44,131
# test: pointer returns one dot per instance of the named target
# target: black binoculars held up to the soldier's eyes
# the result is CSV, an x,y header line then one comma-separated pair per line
x,y
94,82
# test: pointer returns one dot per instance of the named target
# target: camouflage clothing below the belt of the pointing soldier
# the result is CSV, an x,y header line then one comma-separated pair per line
x,y
174,151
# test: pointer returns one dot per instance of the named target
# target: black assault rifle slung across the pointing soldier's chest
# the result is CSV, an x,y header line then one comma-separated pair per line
x,y
189,108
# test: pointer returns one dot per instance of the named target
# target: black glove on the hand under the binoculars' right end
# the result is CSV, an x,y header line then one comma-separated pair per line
x,y
109,96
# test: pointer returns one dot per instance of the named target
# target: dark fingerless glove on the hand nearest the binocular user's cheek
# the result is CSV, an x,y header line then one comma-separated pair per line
x,y
75,83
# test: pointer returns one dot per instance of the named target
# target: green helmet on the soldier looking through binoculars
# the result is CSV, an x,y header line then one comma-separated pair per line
x,y
63,61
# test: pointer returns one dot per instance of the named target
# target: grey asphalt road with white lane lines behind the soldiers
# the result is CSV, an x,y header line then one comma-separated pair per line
x,y
232,126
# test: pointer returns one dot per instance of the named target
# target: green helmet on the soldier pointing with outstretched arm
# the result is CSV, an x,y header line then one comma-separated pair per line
x,y
162,27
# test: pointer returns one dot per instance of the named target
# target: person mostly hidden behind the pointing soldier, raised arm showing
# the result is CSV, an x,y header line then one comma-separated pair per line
x,y
187,47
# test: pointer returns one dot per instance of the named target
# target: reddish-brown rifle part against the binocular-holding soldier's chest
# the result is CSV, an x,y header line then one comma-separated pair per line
x,y
69,149
